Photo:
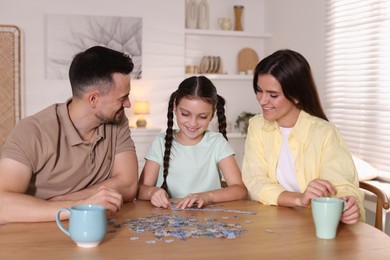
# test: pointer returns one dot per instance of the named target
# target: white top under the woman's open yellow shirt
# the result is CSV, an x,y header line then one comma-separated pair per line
x,y
285,169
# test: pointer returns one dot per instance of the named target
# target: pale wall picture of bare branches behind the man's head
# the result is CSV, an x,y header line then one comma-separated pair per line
x,y
67,35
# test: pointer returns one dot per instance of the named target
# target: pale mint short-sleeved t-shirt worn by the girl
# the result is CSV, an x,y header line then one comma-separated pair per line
x,y
194,168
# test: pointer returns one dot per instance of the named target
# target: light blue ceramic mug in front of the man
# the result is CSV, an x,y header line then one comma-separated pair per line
x,y
87,224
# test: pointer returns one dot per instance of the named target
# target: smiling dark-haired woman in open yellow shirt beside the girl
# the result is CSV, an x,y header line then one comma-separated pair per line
x,y
292,153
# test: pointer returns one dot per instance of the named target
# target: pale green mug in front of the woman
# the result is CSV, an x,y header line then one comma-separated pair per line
x,y
326,214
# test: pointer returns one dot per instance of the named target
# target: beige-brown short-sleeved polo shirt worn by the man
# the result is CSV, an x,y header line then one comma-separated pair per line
x,y
61,162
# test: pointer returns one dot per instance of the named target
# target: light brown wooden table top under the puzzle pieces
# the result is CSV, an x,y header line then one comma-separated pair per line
x,y
273,233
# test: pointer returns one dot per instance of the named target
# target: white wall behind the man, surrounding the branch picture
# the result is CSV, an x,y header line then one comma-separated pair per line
x,y
163,47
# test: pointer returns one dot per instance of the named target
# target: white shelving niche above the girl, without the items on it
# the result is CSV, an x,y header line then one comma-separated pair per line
x,y
226,44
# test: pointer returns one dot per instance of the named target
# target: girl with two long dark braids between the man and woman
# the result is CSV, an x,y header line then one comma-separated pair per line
x,y
187,163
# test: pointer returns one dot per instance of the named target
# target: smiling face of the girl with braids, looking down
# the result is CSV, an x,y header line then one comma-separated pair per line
x,y
193,117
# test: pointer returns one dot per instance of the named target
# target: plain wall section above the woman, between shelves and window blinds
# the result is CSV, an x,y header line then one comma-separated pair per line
x,y
299,25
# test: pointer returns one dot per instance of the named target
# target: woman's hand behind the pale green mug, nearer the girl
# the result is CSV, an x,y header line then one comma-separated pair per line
x,y
316,188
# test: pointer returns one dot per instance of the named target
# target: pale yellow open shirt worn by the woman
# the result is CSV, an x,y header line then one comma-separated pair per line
x,y
319,151
